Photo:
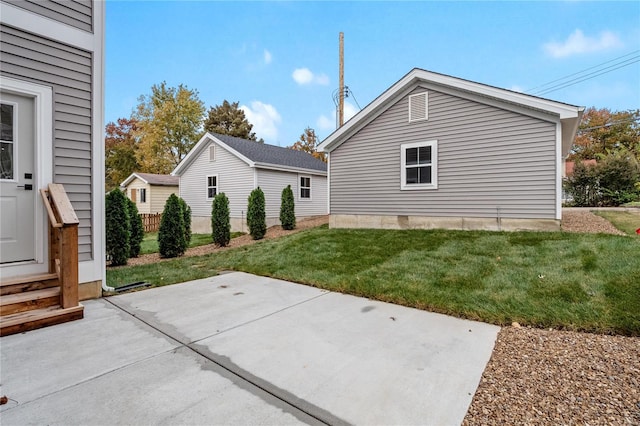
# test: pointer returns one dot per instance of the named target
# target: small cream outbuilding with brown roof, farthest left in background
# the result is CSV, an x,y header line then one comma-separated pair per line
x,y
150,191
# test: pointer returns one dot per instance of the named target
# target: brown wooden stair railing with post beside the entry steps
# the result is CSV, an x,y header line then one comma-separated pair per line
x,y
63,242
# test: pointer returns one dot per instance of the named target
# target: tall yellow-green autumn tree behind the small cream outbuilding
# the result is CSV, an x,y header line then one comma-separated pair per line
x,y
169,125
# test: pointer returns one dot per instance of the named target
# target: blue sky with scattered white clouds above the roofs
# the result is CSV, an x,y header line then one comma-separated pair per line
x,y
279,60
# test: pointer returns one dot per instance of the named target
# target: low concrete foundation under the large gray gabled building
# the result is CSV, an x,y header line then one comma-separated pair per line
x,y
426,222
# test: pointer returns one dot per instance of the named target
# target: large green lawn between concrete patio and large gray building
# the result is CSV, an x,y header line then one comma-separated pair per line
x,y
546,279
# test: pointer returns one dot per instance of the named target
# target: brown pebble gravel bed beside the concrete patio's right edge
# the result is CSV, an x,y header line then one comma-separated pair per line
x,y
559,377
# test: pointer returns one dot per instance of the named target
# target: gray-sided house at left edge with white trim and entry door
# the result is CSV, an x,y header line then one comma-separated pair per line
x,y
51,90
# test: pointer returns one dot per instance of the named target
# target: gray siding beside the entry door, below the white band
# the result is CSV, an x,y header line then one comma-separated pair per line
x,y
68,71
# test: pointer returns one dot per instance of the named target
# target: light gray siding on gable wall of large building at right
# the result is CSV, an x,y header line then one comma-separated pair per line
x,y
488,158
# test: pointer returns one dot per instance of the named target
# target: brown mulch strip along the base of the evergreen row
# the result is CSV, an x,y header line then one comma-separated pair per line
x,y
273,232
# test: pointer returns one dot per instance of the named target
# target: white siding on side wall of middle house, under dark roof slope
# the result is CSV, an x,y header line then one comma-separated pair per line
x,y
272,183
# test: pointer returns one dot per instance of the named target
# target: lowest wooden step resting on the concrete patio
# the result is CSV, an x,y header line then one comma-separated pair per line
x,y
31,320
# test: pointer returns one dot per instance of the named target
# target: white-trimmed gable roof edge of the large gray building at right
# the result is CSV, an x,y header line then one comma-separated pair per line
x,y
569,115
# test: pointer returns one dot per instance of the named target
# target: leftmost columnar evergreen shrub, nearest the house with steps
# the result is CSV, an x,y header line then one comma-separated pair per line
x,y
117,227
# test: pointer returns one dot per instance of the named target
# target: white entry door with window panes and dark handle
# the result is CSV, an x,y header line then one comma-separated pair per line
x,y
18,189
